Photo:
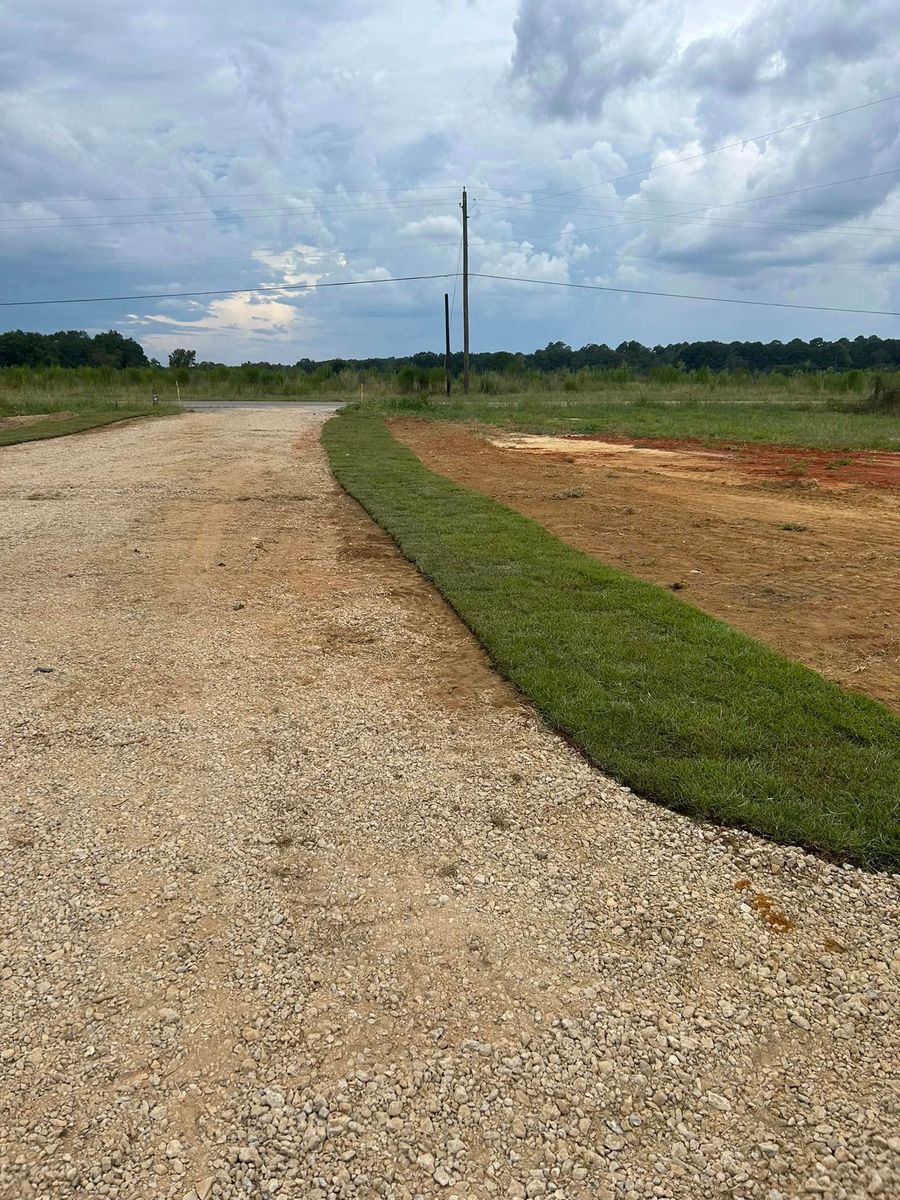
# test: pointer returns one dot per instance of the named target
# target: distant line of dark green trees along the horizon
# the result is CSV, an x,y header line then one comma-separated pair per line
x,y
76,349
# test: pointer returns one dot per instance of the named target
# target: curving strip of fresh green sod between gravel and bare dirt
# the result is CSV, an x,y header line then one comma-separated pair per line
x,y
679,706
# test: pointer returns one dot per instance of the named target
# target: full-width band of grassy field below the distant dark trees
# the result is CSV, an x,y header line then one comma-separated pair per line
x,y
826,410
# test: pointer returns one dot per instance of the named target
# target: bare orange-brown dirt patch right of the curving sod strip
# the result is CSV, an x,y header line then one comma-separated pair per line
x,y
806,562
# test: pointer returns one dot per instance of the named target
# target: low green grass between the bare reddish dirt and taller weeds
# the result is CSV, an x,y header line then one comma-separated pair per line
x,y
647,411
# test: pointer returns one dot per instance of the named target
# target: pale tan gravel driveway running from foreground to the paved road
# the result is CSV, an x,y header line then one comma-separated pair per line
x,y
299,901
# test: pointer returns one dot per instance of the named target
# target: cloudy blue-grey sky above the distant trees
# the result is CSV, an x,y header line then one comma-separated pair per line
x,y
223,147
